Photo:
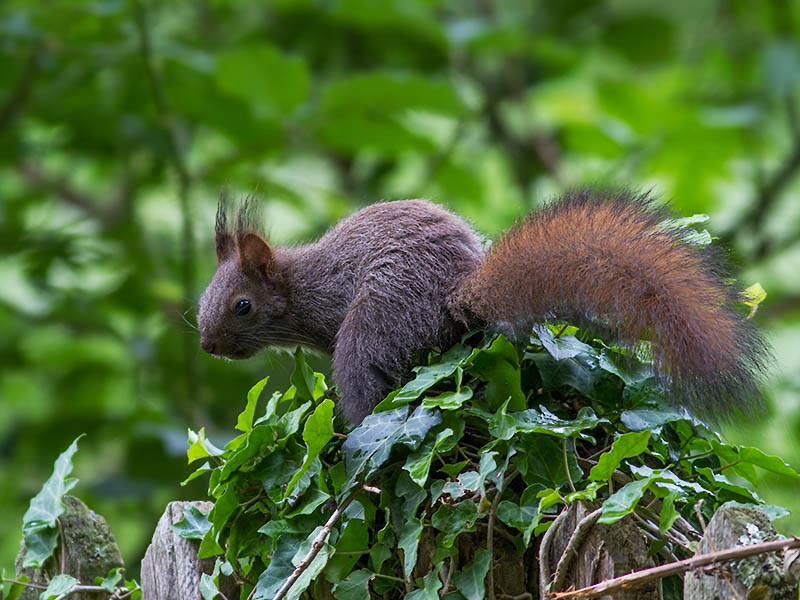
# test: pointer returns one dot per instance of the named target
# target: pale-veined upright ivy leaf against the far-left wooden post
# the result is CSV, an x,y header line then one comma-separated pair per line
x,y
39,529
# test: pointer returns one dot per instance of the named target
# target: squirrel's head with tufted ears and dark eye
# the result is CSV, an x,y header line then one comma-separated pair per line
x,y
245,300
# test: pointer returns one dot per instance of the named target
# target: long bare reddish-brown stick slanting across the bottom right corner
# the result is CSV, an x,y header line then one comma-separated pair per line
x,y
638,578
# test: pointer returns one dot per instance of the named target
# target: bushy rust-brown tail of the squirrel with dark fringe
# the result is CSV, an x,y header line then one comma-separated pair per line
x,y
607,258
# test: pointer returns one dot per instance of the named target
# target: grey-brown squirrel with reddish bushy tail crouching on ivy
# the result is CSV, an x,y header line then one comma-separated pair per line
x,y
397,277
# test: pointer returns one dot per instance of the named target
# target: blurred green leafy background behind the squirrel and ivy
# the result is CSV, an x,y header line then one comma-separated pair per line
x,y
120,121
